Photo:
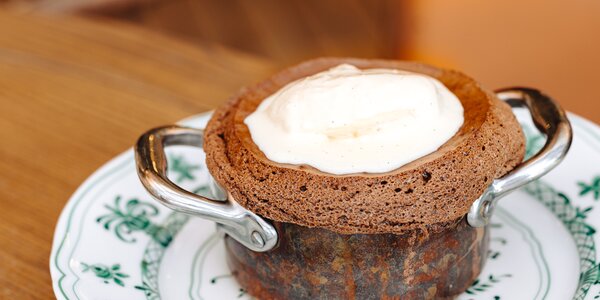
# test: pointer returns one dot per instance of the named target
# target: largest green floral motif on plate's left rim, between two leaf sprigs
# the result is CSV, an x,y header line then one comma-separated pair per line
x,y
134,216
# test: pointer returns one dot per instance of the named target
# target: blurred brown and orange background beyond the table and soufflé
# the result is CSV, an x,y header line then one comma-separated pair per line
x,y
553,45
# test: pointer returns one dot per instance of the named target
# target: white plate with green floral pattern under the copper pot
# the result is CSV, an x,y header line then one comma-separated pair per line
x,y
113,241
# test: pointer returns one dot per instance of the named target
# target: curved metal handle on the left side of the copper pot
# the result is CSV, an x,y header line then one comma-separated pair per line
x,y
243,225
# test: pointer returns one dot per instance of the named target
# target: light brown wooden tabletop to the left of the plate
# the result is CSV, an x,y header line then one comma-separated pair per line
x,y
73,94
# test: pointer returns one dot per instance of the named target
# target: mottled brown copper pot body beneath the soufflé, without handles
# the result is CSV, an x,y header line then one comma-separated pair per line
x,y
313,263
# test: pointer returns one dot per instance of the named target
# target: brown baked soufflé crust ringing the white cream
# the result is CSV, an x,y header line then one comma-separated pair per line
x,y
425,194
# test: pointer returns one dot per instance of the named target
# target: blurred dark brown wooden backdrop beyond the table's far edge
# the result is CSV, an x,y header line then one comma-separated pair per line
x,y
283,31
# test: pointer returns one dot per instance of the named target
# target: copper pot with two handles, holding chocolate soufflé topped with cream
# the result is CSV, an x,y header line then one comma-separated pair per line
x,y
299,223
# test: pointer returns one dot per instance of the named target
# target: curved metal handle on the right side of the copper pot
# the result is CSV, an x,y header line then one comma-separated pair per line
x,y
550,119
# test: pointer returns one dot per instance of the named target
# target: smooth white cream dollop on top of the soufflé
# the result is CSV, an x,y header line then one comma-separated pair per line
x,y
347,120
